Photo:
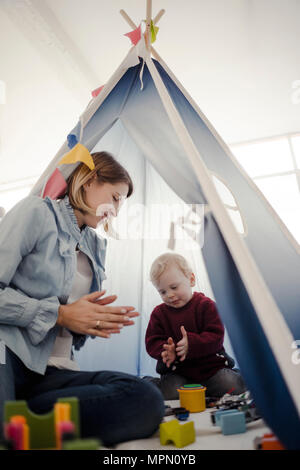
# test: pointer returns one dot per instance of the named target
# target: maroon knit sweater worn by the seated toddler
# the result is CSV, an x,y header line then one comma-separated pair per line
x,y
205,336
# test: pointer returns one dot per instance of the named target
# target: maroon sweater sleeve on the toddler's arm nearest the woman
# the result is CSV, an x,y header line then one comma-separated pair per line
x,y
156,336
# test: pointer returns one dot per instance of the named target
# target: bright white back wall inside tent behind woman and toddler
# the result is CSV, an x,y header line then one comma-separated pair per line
x,y
130,258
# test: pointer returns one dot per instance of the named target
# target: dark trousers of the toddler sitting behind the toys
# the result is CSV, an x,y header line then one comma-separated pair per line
x,y
223,381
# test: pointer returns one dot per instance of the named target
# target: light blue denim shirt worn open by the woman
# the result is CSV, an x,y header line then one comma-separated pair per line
x,y
38,238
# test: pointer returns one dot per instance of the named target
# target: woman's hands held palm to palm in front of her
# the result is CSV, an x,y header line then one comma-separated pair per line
x,y
83,316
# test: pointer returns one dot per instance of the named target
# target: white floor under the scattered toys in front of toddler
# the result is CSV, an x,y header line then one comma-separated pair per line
x,y
208,437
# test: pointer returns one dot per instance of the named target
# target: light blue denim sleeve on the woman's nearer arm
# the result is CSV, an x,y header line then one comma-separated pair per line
x,y
19,232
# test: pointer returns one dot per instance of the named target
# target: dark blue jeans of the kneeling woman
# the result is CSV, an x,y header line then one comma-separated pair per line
x,y
114,406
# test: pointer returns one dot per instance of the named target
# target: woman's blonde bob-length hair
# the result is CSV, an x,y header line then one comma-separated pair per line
x,y
107,170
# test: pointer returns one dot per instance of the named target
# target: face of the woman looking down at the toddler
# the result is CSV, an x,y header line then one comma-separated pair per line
x,y
105,199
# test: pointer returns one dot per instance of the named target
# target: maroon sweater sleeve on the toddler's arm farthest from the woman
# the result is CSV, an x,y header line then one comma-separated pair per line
x,y
210,339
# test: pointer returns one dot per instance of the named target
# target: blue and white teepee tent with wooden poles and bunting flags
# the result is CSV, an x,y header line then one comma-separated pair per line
x,y
145,114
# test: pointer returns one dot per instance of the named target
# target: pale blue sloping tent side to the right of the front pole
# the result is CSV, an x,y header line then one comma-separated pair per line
x,y
265,239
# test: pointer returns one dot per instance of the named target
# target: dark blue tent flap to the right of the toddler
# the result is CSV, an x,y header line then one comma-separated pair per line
x,y
256,360
